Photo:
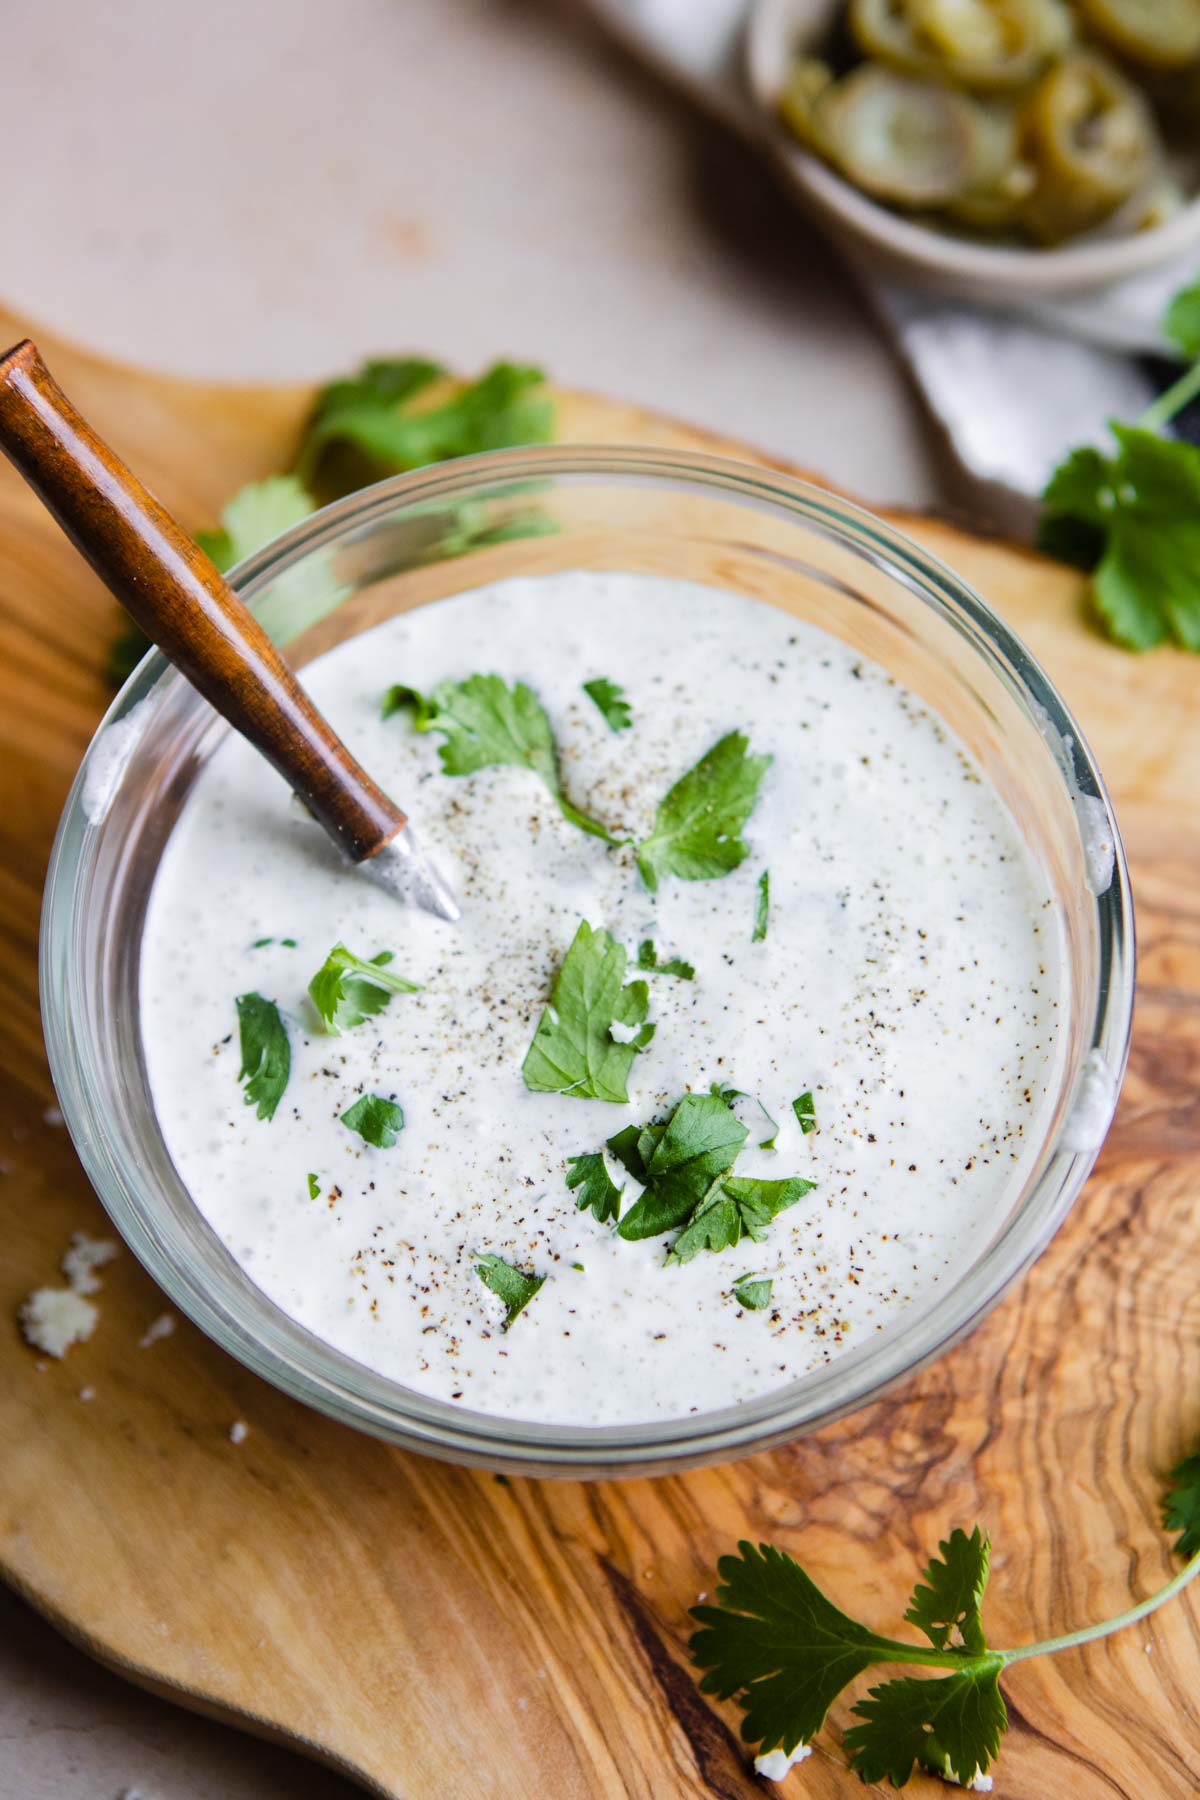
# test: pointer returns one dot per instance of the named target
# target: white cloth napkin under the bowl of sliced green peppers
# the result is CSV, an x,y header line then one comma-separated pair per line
x,y
1016,390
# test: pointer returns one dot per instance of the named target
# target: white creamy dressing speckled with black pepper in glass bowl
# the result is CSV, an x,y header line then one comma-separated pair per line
x,y
909,980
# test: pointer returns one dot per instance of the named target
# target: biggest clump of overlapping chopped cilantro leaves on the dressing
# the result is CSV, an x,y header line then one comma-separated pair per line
x,y
686,1173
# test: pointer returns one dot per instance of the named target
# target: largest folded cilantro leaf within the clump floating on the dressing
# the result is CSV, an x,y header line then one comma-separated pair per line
x,y
677,1164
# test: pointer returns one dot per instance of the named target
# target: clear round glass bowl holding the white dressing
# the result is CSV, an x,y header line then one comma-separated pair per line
x,y
530,512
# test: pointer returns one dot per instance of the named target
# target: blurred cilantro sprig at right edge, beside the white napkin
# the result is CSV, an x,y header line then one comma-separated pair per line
x,y
1133,516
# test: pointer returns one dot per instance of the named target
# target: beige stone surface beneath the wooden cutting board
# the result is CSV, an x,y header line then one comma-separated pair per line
x,y
274,188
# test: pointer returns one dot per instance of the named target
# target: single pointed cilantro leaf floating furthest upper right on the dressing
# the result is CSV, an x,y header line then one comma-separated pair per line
x,y
695,832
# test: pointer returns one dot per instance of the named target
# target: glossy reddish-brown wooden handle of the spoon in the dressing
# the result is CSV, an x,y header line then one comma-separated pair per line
x,y
166,582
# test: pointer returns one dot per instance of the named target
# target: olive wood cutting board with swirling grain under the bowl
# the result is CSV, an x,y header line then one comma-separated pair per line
x,y
438,1632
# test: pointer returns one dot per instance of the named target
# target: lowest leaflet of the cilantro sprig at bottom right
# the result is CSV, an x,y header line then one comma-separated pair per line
x,y
953,1727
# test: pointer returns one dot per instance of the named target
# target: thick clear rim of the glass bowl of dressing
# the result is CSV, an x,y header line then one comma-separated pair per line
x,y
327,1380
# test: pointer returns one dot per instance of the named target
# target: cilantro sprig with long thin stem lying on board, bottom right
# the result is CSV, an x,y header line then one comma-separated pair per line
x,y
785,1651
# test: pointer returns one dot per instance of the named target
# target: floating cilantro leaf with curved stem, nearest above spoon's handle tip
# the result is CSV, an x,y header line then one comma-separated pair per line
x,y
488,724
